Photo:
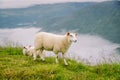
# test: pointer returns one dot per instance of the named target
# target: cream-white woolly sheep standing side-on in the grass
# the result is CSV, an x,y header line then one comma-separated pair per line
x,y
53,42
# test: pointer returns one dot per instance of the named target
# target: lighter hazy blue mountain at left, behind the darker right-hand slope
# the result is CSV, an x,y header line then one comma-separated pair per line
x,y
42,14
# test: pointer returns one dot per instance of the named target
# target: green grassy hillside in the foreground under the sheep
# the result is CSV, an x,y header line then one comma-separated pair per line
x,y
15,66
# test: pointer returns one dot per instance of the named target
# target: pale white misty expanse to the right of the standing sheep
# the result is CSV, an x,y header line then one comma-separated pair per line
x,y
94,49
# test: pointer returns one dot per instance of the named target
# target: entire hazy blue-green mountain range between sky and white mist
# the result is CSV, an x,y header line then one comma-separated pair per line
x,y
93,18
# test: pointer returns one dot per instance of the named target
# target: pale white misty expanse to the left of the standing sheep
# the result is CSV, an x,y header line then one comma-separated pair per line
x,y
23,36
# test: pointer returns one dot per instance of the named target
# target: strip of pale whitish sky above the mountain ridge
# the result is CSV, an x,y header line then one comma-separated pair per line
x,y
26,3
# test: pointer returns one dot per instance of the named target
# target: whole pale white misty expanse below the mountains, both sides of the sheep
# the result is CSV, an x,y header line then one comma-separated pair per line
x,y
90,49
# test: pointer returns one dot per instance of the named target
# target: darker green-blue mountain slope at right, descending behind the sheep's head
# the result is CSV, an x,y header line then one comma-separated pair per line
x,y
101,19
